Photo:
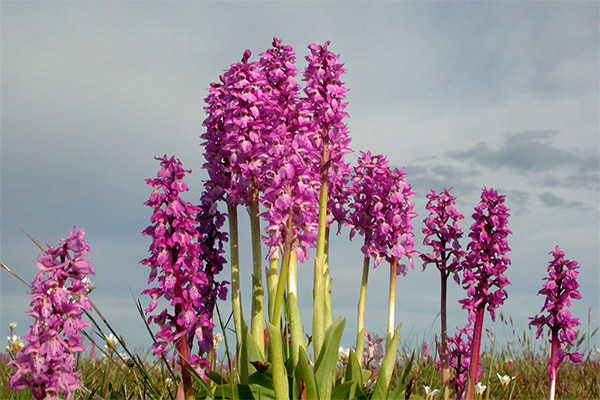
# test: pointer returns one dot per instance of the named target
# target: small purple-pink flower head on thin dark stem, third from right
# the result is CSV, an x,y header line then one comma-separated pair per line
x,y
442,233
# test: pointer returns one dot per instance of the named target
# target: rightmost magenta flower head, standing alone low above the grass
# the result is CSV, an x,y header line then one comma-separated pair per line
x,y
560,289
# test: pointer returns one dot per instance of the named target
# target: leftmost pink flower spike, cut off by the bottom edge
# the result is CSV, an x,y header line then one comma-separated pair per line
x,y
58,295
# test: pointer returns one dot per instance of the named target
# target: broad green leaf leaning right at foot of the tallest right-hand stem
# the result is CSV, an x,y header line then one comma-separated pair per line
x,y
326,364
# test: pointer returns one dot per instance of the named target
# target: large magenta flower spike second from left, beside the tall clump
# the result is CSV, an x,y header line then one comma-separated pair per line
x,y
175,260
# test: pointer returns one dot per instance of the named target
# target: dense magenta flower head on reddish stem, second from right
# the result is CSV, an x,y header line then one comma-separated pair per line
x,y
486,260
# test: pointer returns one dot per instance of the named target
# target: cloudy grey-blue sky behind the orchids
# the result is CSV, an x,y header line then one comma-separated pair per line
x,y
462,94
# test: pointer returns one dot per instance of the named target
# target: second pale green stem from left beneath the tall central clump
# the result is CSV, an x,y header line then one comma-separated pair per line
x,y
257,322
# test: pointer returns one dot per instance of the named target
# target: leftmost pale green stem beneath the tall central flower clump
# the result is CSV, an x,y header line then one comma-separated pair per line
x,y
236,298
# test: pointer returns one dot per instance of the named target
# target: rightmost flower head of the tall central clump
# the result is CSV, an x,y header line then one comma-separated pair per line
x,y
325,107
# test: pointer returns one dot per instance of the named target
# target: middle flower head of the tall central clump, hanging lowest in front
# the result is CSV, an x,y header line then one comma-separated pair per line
x,y
291,183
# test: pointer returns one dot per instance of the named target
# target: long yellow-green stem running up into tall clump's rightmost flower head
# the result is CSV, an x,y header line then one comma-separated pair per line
x,y
319,286
